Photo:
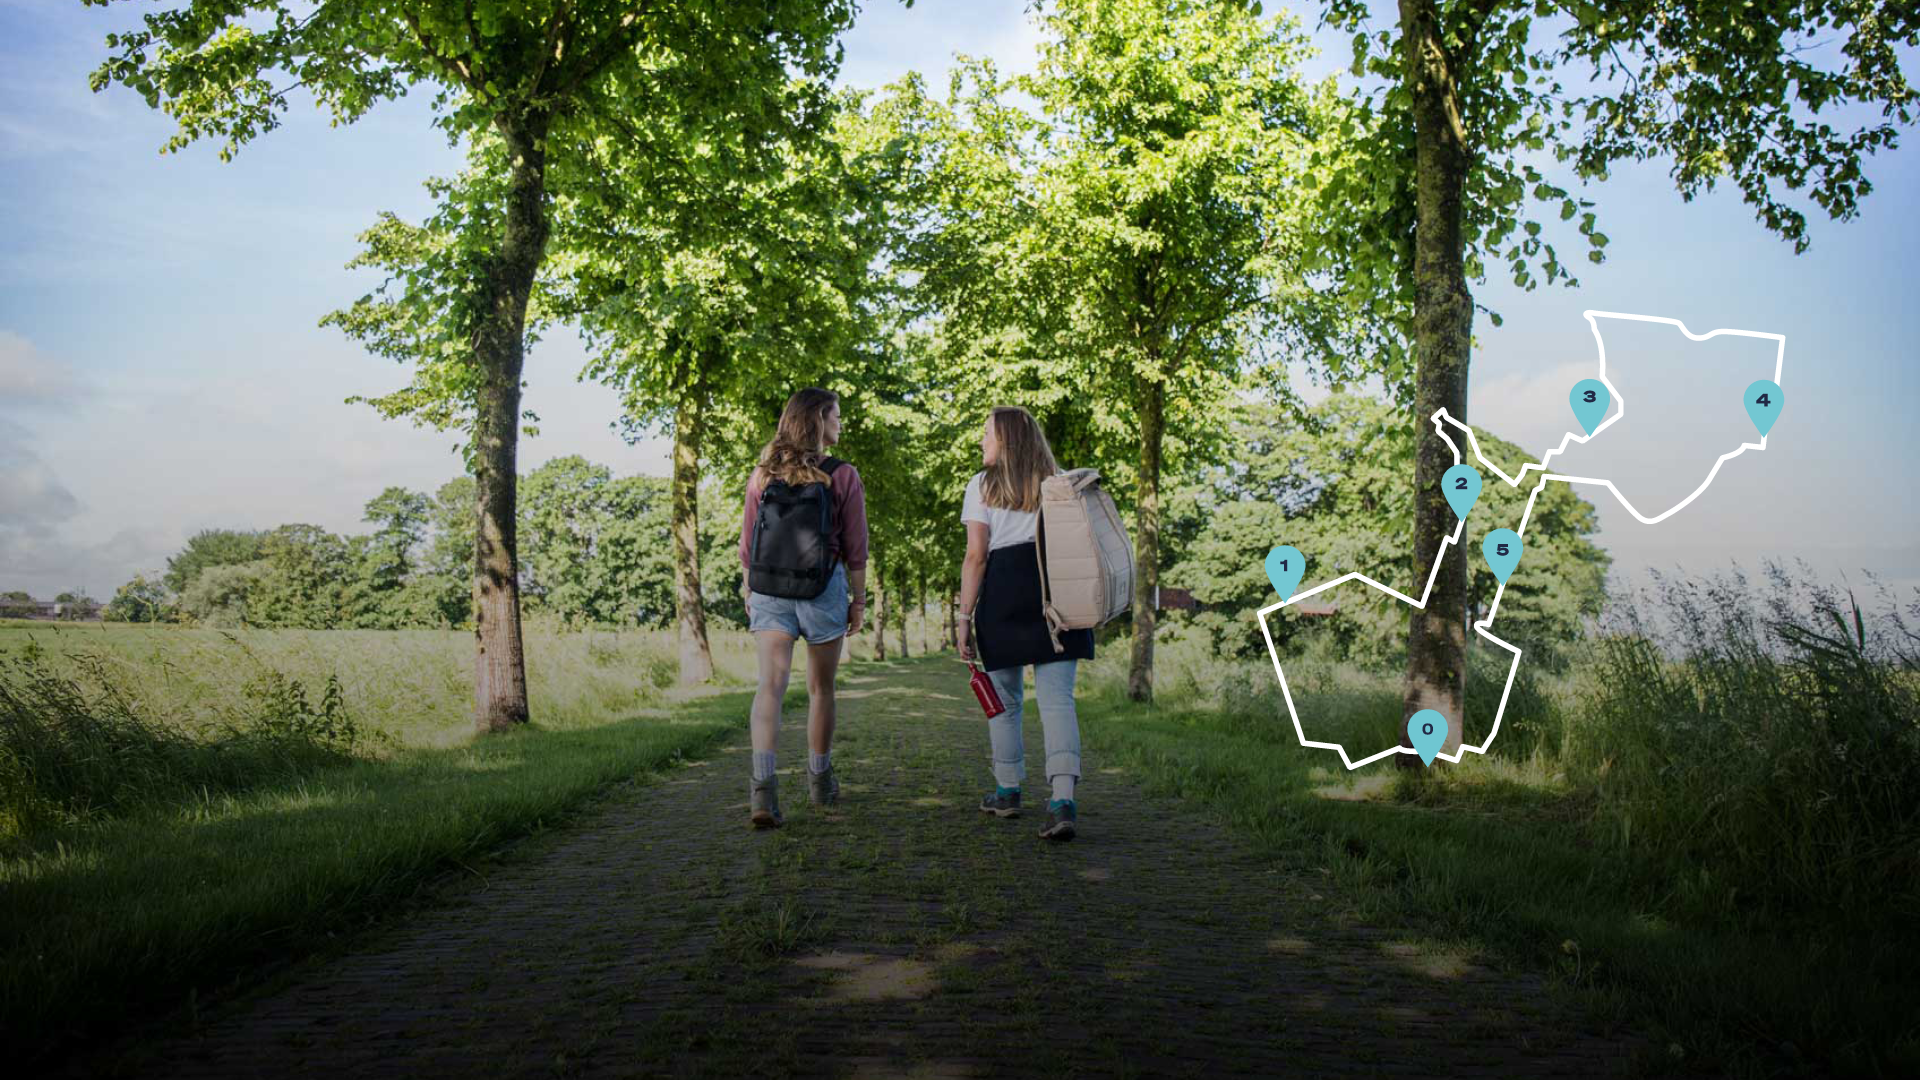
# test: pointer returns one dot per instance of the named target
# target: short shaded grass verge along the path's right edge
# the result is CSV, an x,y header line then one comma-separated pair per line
x,y
1510,866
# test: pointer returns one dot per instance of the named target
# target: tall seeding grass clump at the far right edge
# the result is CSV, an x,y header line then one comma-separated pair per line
x,y
1764,739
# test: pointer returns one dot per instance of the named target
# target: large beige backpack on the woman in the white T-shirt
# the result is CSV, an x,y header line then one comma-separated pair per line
x,y
1088,574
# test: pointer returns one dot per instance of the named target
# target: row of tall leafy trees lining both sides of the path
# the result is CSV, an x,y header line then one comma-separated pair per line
x,y
1151,224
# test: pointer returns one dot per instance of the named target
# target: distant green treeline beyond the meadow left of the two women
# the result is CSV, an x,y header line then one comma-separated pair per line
x,y
592,552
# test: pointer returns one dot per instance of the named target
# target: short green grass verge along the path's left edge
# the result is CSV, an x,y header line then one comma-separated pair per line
x,y
141,912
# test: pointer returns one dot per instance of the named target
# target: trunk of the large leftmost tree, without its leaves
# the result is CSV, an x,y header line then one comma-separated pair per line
x,y
500,351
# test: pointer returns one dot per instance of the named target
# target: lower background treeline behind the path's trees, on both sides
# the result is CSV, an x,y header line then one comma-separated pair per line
x,y
596,549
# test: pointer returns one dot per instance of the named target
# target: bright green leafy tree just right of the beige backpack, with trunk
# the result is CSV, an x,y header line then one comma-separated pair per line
x,y
1128,257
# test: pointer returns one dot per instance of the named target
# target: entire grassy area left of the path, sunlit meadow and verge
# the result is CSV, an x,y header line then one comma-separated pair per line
x,y
139,904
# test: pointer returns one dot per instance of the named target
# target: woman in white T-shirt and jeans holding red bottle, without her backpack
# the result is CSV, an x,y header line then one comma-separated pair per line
x,y
1001,606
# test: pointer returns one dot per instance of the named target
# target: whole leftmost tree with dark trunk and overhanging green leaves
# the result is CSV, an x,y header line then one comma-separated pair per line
x,y
525,82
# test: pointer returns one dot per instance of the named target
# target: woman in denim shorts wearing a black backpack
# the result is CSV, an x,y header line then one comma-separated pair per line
x,y
804,549
